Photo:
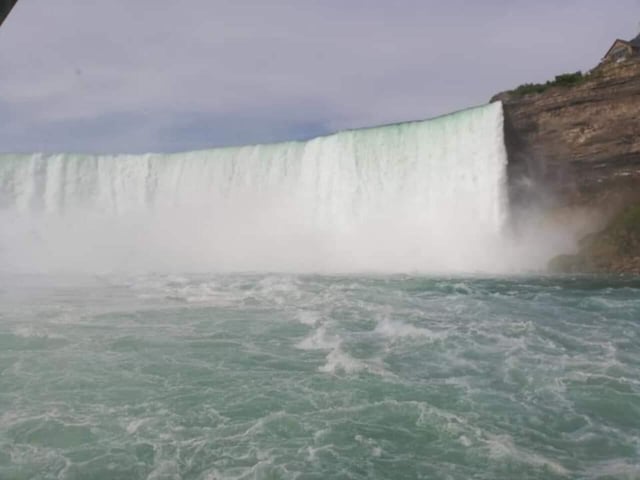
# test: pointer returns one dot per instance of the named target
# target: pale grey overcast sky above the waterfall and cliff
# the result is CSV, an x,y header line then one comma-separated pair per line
x,y
167,75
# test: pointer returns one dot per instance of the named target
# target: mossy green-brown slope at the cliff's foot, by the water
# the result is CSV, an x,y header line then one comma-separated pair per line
x,y
614,249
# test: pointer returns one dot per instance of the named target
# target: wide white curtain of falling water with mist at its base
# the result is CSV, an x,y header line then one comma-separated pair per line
x,y
418,196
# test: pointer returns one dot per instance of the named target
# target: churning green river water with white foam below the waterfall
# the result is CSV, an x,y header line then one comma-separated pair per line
x,y
316,377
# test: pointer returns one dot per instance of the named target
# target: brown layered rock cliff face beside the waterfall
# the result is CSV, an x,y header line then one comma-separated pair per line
x,y
576,149
